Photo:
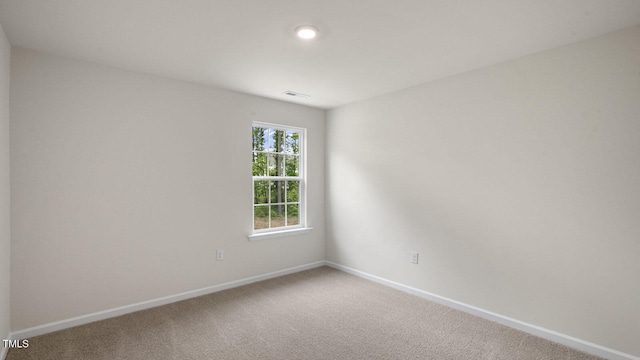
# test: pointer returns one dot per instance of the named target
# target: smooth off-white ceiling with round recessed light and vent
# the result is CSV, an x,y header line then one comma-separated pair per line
x,y
365,47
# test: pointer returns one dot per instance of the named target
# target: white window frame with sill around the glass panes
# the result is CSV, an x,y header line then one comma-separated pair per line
x,y
301,227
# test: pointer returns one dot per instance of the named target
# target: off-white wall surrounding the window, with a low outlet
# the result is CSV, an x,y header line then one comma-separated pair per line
x,y
125,184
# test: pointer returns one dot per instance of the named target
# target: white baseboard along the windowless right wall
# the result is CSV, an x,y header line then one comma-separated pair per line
x,y
585,346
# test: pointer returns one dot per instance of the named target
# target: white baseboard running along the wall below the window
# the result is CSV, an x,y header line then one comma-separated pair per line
x,y
101,315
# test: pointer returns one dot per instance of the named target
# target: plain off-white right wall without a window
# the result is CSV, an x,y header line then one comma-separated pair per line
x,y
518,184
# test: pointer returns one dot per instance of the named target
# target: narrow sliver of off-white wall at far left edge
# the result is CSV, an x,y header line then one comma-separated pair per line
x,y
5,232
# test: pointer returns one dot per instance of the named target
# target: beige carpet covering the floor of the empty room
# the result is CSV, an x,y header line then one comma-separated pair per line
x,y
316,314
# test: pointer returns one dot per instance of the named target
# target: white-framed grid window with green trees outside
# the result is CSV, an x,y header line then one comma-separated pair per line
x,y
278,178
